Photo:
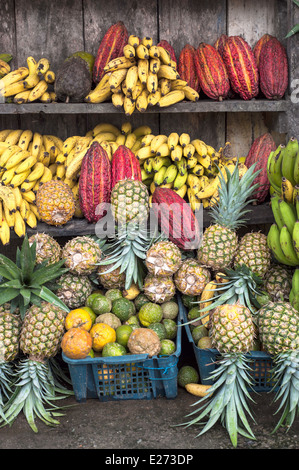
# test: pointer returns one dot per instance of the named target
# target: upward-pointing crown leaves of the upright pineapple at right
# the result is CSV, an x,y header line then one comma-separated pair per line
x,y
233,196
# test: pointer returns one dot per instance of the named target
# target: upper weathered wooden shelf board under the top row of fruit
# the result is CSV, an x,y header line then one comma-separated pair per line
x,y
201,106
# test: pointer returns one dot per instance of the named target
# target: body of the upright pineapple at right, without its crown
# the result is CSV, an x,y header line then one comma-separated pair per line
x,y
218,248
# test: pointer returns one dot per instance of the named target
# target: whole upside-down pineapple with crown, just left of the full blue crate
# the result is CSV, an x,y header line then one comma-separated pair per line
x,y
40,338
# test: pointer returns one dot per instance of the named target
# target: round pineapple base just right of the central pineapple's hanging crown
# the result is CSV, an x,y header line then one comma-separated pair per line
x,y
163,258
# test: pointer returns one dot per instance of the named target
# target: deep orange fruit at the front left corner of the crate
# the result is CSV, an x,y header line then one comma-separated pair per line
x,y
76,343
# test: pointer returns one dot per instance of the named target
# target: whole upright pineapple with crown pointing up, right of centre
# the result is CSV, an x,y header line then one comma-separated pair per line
x,y
220,241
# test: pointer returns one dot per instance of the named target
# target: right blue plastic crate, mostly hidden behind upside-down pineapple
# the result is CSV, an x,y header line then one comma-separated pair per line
x,y
261,363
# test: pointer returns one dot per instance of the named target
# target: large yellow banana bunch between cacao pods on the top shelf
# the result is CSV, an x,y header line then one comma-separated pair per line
x,y
144,76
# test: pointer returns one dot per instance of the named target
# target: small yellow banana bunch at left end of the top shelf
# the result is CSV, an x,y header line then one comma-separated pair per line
x,y
29,84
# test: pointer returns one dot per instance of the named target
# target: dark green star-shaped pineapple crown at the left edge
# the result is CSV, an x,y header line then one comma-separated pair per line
x,y
25,282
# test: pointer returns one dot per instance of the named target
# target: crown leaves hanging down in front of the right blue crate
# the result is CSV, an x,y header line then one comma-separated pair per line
x,y
227,399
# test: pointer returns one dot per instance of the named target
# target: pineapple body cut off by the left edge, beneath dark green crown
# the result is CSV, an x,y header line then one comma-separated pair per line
x,y
10,327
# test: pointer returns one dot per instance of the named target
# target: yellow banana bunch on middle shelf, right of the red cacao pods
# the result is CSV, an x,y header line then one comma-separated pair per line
x,y
189,167
